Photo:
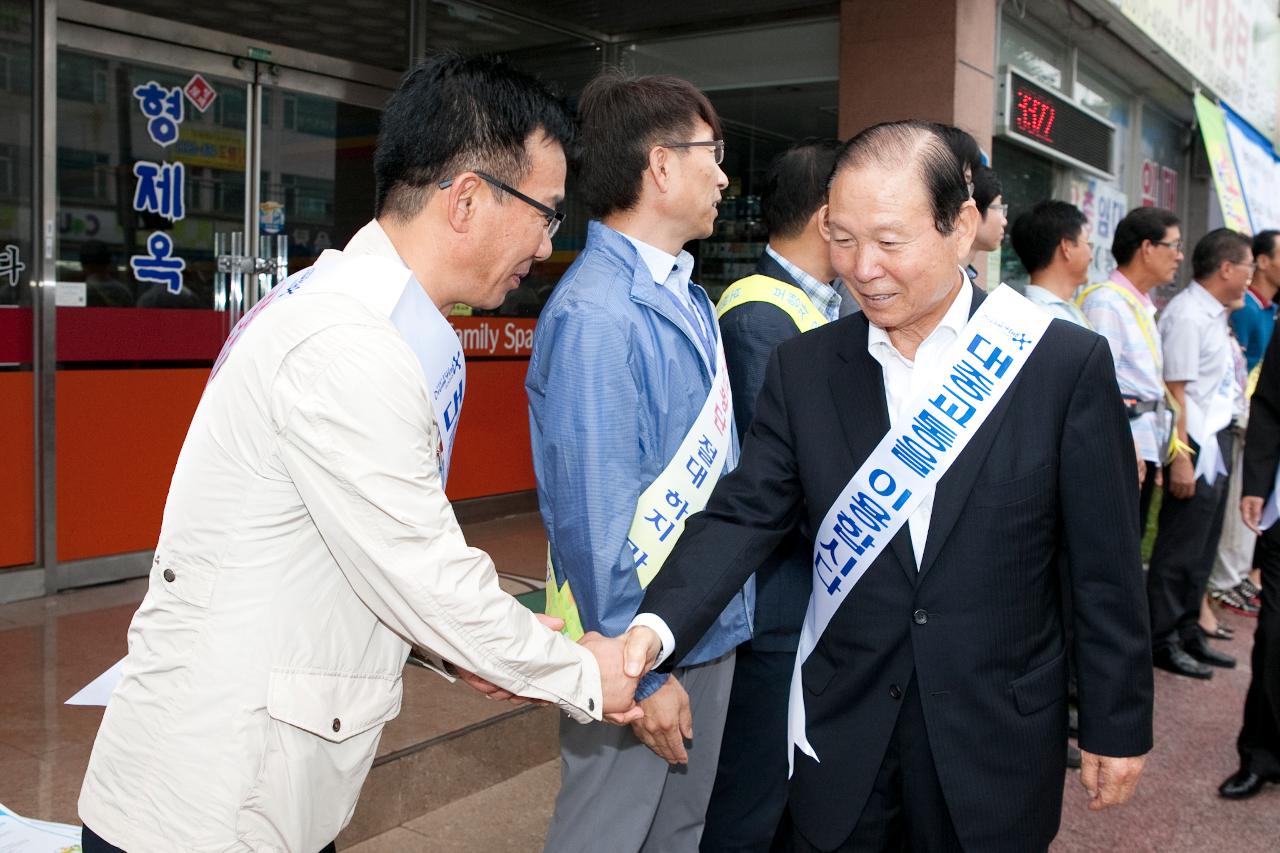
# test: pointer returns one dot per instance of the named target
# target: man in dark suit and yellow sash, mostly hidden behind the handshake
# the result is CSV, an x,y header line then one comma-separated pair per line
x,y
792,293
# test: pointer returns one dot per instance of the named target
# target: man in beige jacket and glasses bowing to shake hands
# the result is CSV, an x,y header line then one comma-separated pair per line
x,y
308,541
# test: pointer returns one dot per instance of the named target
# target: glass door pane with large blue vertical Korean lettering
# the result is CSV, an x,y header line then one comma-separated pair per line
x,y
140,194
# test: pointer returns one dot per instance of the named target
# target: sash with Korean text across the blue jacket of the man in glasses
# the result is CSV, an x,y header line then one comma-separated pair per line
x,y
687,482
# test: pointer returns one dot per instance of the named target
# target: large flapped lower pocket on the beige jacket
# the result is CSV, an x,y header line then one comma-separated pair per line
x,y
321,737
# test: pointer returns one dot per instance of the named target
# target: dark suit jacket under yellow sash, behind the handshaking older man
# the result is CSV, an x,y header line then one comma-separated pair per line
x,y
751,332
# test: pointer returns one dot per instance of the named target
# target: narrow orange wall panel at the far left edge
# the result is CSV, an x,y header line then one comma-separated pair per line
x,y
17,471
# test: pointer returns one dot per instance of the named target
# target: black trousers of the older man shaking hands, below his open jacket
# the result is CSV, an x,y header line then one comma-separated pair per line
x,y
906,811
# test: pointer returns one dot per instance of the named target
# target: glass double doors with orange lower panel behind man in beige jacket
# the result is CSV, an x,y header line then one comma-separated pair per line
x,y
163,152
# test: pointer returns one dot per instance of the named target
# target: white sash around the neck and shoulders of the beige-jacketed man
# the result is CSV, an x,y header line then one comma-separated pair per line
x,y
391,290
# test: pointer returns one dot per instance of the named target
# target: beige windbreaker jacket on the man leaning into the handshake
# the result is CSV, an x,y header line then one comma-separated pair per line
x,y
307,542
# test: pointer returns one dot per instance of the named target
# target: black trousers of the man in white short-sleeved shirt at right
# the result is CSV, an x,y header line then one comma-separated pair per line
x,y
1183,556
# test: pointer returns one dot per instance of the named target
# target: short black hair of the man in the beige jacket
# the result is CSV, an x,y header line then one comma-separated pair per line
x,y
456,113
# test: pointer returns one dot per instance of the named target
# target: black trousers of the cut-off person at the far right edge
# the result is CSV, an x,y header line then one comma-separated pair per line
x,y
1259,743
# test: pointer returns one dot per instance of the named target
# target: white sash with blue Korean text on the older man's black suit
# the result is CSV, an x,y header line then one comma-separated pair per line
x,y
909,462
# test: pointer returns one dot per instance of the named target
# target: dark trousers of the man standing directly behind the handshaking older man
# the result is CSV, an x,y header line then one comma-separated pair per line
x,y
751,788
